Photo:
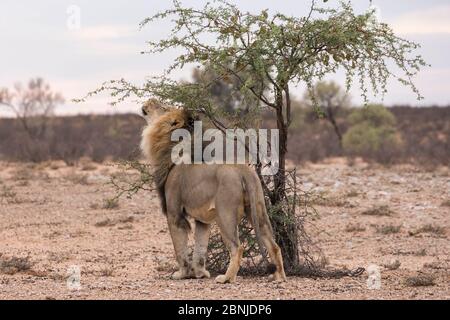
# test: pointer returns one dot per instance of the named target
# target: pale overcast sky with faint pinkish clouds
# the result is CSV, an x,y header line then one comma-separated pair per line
x,y
76,45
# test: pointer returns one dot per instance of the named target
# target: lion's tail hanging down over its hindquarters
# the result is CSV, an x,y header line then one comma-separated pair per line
x,y
252,186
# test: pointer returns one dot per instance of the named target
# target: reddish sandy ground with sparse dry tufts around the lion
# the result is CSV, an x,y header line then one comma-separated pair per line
x,y
54,215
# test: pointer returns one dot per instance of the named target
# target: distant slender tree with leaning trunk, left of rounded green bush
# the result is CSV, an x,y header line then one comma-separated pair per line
x,y
330,98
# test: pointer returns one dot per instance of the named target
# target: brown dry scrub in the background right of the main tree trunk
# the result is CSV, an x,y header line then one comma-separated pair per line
x,y
425,136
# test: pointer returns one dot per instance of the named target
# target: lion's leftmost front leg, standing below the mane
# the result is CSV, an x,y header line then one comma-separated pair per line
x,y
179,233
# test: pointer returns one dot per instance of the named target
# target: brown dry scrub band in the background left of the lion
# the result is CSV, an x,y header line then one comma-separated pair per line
x,y
73,139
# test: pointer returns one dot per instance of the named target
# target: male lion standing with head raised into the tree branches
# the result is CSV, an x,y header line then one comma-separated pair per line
x,y
206,193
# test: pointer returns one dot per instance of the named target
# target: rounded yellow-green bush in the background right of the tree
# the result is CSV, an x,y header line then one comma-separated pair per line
x,y
372,134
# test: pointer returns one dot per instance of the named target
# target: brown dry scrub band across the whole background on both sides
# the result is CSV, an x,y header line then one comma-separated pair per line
x,y
425,135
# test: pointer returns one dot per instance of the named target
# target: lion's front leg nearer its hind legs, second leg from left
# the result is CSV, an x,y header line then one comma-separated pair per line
x,y
201,238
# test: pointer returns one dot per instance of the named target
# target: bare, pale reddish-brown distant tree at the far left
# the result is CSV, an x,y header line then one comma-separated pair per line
x,y
33,105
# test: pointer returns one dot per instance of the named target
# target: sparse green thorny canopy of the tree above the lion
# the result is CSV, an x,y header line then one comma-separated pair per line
x,y
276,51
